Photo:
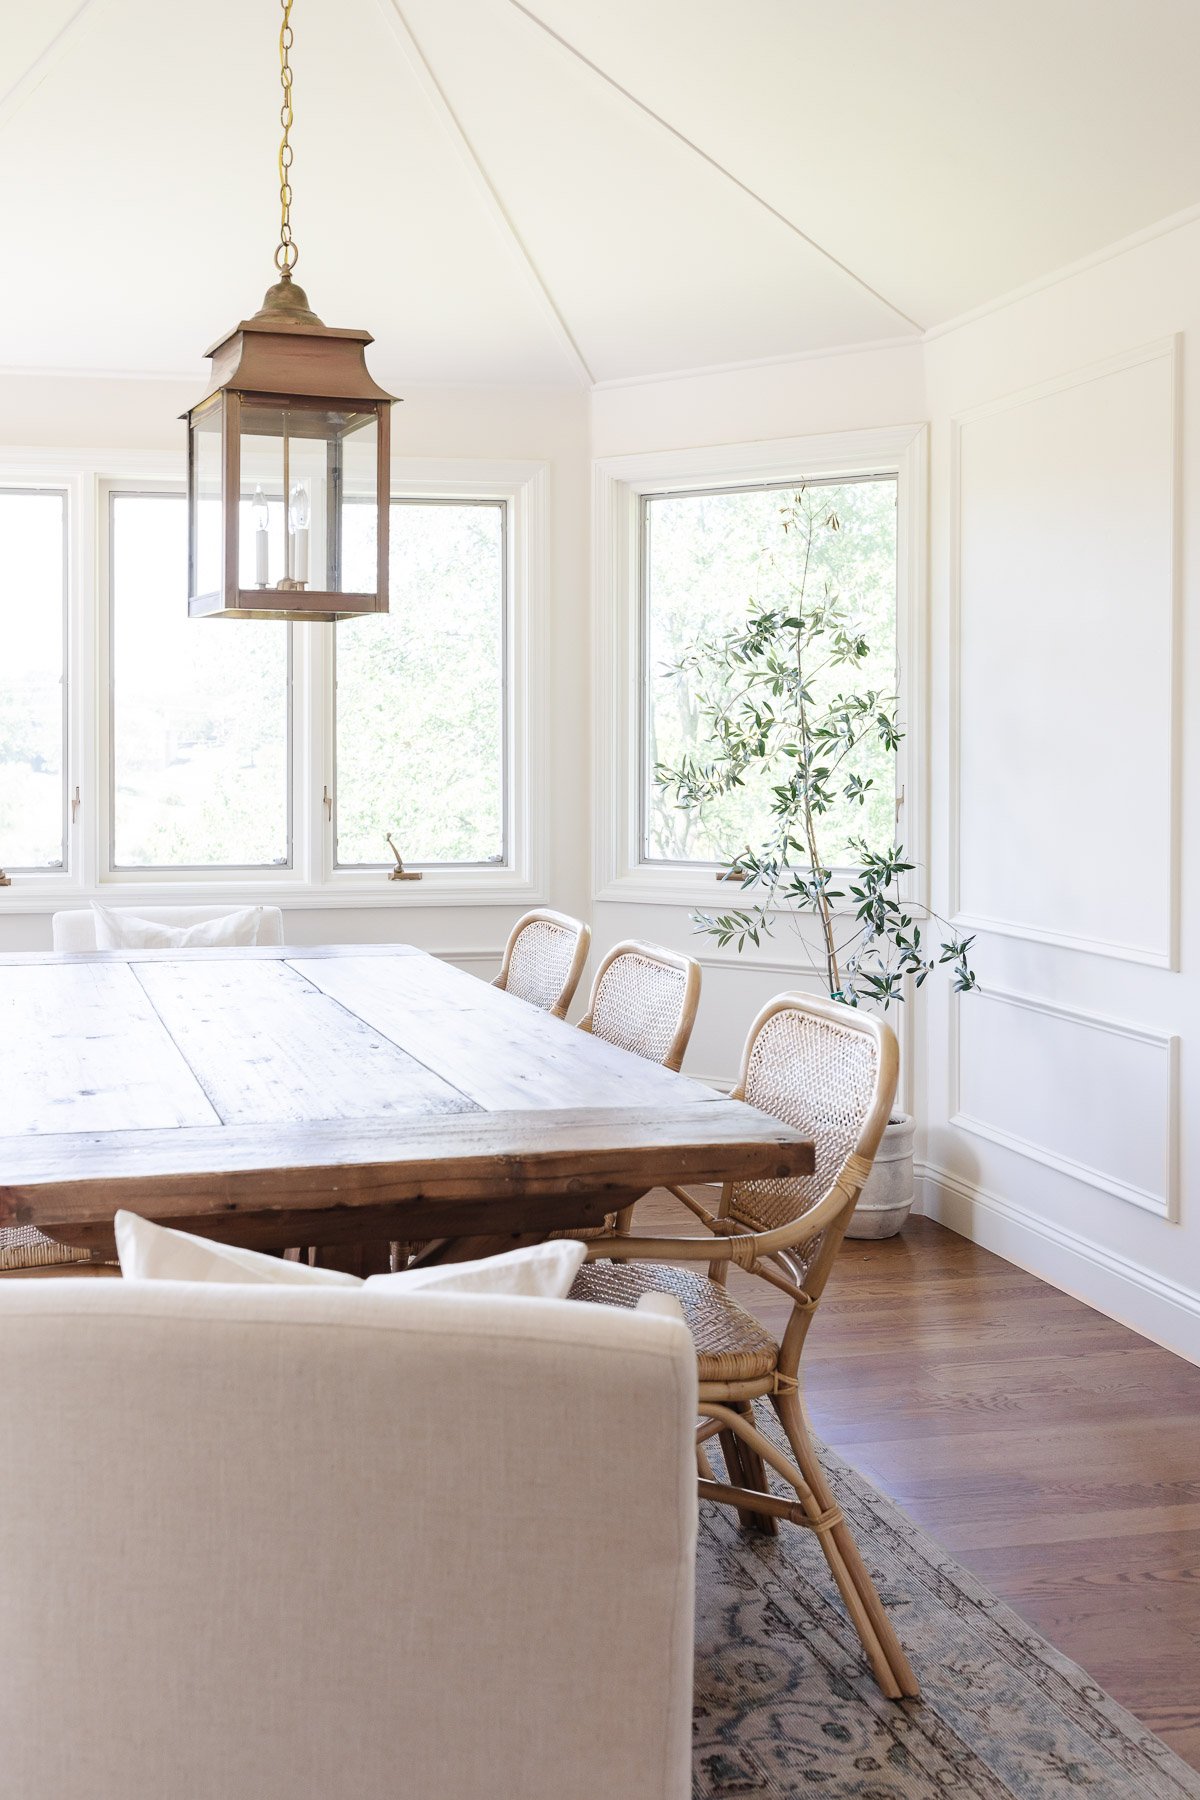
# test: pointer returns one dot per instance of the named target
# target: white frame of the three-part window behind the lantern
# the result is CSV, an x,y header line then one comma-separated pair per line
x,y
312,881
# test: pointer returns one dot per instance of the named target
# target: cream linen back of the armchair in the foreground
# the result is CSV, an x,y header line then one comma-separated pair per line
x,y
294,1543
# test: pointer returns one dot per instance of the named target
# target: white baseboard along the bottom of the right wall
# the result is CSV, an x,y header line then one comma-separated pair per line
x,y
1125,1291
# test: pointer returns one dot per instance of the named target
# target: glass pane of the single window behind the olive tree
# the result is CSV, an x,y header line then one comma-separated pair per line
x,y
706,557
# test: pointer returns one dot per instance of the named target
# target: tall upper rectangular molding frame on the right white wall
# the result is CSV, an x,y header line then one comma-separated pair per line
x,y
1160,957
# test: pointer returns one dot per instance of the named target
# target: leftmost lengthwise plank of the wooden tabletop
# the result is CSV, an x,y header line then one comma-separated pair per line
x,y
84,1050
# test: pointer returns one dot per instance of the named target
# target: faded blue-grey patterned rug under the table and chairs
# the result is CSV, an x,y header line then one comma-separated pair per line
x,y
785,1704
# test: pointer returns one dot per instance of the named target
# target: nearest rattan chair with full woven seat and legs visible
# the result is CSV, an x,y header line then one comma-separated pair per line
x,y
828,1072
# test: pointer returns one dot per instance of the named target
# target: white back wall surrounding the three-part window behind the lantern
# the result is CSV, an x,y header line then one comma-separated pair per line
x,y
501,424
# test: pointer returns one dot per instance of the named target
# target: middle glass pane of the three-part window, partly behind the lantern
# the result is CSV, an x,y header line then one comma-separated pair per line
x,y
199,710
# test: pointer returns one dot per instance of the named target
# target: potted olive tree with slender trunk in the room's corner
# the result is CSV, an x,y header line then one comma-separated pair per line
x,y
784,706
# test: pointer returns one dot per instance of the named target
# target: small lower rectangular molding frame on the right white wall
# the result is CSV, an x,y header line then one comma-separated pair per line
x,y
1165,1205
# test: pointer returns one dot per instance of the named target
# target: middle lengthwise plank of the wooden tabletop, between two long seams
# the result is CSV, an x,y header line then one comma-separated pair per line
x,y
269,1047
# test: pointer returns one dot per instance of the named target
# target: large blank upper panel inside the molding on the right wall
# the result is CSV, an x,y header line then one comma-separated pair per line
x,y
1064,755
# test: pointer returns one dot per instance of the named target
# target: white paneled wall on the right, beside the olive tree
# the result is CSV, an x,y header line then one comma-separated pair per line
x,y
1061,1117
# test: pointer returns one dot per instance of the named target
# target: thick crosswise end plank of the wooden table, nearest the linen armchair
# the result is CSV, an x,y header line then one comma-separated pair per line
x,y
431,1171
